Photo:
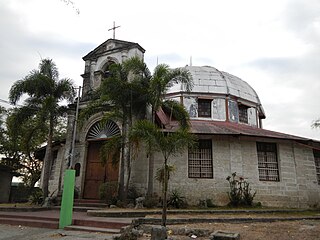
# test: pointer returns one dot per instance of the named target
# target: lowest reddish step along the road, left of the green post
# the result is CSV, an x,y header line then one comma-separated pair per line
x,y
52,224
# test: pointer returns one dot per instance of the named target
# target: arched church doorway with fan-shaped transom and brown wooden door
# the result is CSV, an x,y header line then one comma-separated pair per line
x,y
96,172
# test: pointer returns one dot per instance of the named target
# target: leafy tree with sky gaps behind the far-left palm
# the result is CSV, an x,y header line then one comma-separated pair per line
x,y
20,141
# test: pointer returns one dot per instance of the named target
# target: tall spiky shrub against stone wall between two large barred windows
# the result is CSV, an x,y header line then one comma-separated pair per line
x,y
240,192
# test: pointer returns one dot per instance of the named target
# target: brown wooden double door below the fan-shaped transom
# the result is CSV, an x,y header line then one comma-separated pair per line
x,y
96,172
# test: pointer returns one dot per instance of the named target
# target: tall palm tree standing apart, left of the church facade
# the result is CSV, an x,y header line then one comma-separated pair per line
x,y
45,91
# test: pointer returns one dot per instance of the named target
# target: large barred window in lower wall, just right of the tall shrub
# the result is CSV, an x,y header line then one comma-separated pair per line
x,y
268,162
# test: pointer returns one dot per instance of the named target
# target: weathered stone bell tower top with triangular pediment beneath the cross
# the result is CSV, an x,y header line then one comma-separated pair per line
x,y
97,61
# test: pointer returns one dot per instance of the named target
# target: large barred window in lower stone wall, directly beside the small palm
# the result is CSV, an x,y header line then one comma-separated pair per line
x,y
200,160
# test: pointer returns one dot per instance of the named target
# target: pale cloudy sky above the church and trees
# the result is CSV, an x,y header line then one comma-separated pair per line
x,y
274,45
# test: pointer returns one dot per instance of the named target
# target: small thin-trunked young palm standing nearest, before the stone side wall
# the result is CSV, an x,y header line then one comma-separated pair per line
x,y
168,143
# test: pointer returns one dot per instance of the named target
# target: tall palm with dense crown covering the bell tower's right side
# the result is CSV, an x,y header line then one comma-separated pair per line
x,y
122,95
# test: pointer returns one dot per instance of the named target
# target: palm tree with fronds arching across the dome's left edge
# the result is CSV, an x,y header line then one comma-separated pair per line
x,y
161,80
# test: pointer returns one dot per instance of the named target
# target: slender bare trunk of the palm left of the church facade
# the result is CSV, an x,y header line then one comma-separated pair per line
x,y
47,162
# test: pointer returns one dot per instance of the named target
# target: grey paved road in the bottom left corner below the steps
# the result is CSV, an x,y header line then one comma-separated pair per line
x,y
28,233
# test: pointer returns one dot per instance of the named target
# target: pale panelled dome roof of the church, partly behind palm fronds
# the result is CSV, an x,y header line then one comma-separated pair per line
x,y
210,80
